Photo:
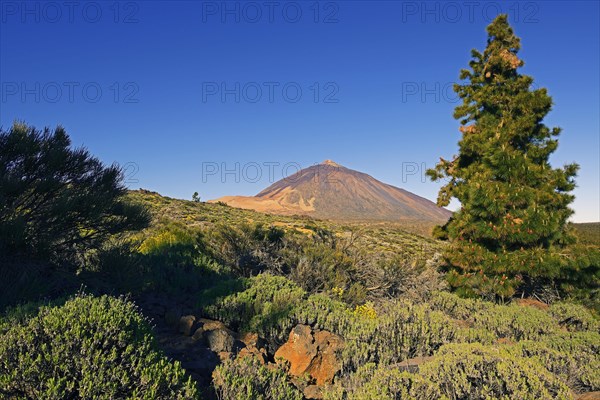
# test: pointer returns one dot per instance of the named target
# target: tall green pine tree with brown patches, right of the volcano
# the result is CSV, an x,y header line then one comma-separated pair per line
x,y
512,225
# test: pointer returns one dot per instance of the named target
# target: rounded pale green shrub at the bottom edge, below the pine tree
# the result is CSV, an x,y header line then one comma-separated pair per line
x,y
472,371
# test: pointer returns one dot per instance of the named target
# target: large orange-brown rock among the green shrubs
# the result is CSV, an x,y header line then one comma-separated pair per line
x,y
312,354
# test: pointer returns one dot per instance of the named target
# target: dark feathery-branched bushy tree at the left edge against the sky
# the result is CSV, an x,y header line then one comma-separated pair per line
x,y
55,200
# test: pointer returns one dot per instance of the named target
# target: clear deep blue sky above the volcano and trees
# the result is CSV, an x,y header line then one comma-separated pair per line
x,y
141,84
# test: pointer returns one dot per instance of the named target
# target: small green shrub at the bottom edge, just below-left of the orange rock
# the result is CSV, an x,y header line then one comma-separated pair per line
x,y
246,379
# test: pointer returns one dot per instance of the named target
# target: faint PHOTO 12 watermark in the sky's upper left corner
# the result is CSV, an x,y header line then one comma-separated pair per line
x,y
52,12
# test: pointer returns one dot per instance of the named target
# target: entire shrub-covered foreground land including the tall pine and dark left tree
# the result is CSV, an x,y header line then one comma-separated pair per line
x,y
107,293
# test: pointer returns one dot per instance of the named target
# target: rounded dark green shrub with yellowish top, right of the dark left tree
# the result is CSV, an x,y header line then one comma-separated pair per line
x,y
168,258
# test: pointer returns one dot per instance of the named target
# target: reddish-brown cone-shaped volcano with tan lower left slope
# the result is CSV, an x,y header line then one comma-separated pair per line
x,y
332,191
